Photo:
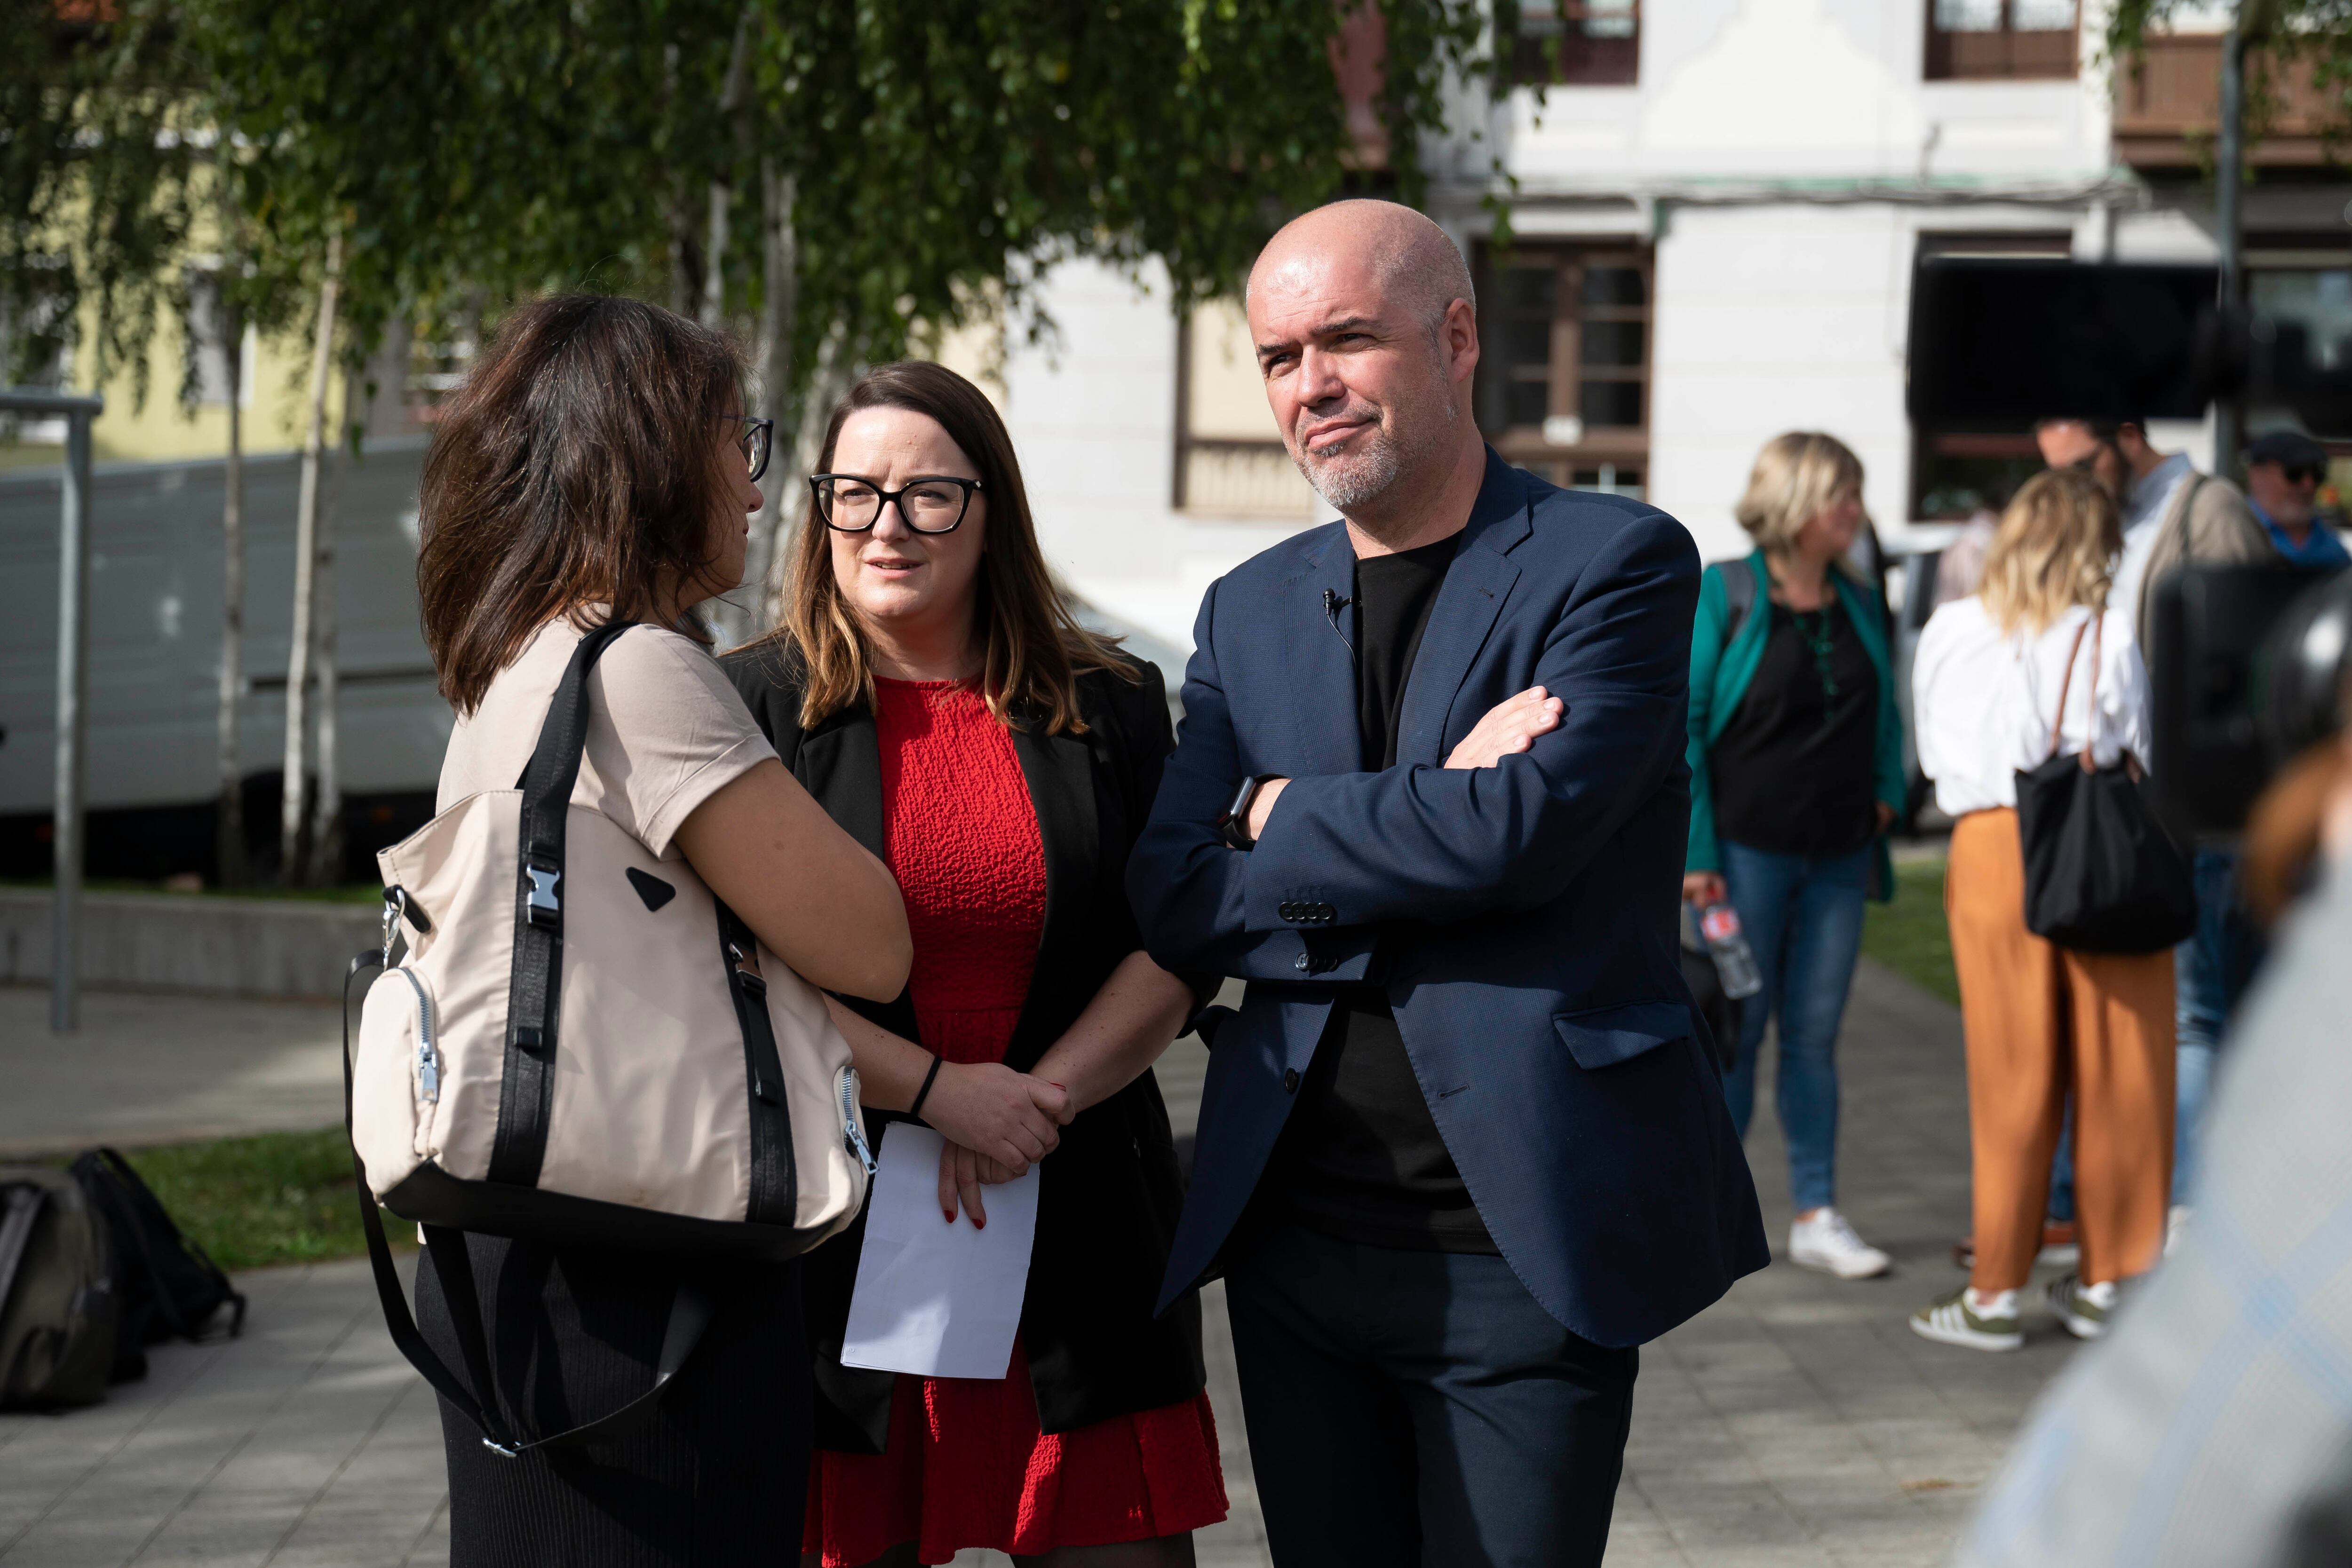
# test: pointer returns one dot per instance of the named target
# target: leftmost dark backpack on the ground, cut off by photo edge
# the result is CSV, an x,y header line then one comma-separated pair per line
x,y
58,1294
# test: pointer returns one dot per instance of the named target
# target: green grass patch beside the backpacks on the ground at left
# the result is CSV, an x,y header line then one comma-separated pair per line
x,y
272,1198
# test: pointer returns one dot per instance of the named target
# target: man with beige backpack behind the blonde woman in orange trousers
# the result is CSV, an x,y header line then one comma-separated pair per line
x,y
2179,518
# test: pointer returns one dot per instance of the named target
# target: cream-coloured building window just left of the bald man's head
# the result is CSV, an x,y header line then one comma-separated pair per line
x,y
1229,453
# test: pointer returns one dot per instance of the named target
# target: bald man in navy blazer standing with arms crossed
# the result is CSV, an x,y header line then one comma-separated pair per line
x,y
1464,1146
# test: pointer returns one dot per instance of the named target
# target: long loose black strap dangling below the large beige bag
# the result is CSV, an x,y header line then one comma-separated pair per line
x,y
690,1308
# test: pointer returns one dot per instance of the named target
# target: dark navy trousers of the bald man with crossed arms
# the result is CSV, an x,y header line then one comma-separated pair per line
x,y
1419,1409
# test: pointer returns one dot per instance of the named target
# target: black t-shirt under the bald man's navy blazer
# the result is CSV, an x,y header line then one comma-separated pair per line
x,y
1361,1158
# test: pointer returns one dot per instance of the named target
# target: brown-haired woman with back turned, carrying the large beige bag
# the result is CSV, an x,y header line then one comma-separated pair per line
x,y
599,464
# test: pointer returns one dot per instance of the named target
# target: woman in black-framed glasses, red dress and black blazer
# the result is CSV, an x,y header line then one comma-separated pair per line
x,y
933,692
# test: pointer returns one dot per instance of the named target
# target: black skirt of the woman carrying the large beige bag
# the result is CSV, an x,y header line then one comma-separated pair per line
x,y
716,1475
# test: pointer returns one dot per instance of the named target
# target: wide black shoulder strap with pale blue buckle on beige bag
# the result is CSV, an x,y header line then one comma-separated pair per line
x,y
535,991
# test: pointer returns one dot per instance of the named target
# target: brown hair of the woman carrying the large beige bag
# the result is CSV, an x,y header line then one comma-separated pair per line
x,y
577,467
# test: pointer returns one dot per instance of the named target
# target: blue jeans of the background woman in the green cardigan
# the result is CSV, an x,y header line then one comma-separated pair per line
x,y
1805,925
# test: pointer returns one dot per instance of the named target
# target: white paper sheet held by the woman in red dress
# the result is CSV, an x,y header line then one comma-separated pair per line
x,y
937,1299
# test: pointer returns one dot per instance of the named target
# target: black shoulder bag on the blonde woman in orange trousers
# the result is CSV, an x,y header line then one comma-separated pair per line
x,y
2099,871
